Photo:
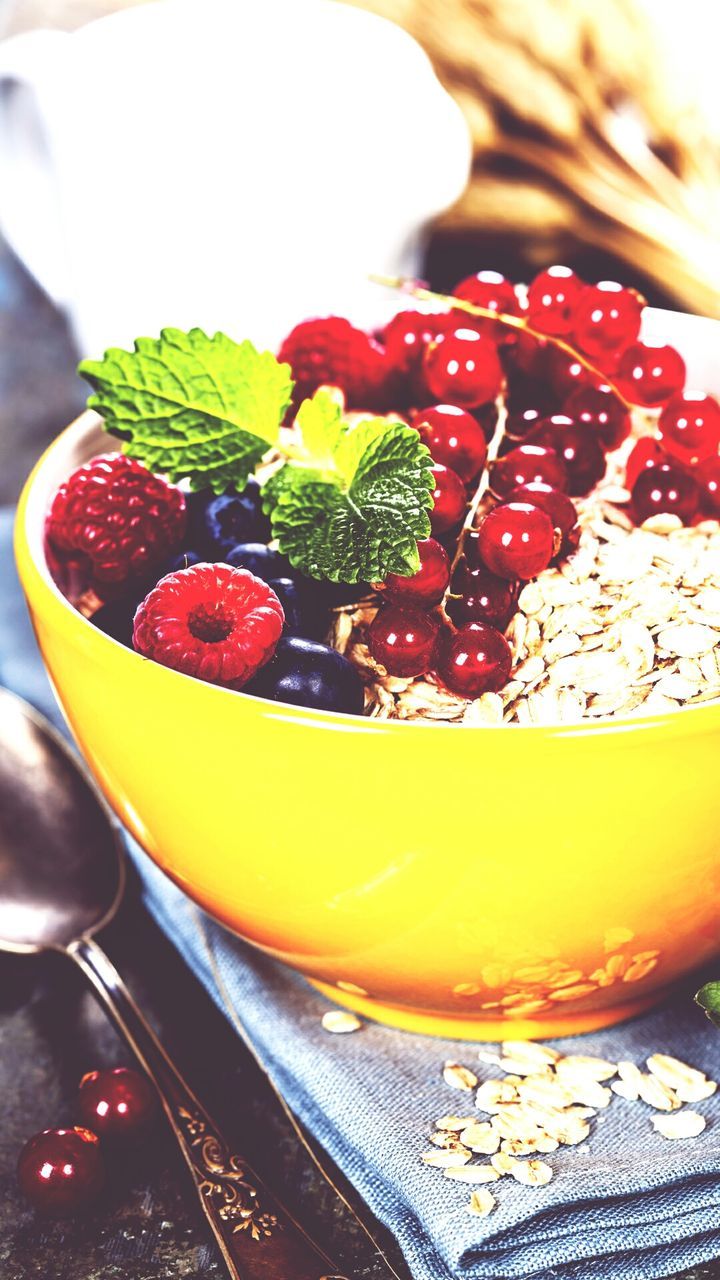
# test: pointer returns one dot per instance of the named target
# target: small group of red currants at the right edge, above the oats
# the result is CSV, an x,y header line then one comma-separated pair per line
x,y
677,472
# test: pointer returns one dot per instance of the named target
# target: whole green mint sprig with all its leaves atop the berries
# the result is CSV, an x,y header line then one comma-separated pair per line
x,y
349,504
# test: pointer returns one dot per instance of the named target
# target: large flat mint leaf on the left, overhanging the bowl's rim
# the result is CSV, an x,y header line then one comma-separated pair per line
x,y
193,406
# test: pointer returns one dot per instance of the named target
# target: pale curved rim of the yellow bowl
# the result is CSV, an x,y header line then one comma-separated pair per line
x,y
42,589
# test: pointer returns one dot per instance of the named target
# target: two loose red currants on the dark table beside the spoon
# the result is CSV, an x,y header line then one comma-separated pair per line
x,y
63,1171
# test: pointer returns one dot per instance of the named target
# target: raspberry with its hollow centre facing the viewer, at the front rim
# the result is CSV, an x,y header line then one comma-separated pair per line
x,y
211,621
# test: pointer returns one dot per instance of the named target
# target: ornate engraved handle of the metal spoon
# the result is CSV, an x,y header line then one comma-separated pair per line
x,y
257,1237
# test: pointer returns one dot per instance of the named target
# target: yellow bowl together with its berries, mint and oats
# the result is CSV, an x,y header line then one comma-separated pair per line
x,y
258,574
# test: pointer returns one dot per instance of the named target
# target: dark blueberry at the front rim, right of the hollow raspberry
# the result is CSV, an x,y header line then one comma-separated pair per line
x,y
308,674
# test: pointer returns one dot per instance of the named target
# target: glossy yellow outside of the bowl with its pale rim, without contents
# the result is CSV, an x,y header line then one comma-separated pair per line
x,y
472,881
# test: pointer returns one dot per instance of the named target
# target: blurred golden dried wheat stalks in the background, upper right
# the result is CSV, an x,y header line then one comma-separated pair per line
x,y
580,130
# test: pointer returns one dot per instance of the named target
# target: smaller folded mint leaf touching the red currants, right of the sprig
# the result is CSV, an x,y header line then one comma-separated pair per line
x,y
362,520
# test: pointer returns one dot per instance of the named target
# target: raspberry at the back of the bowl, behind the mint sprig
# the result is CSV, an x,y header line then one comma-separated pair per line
x,y
332,353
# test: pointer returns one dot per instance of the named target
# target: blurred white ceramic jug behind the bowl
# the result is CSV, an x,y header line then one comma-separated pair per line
x,y
234,164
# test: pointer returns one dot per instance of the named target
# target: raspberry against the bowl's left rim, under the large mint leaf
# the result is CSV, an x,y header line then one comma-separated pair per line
x,y
119,515
